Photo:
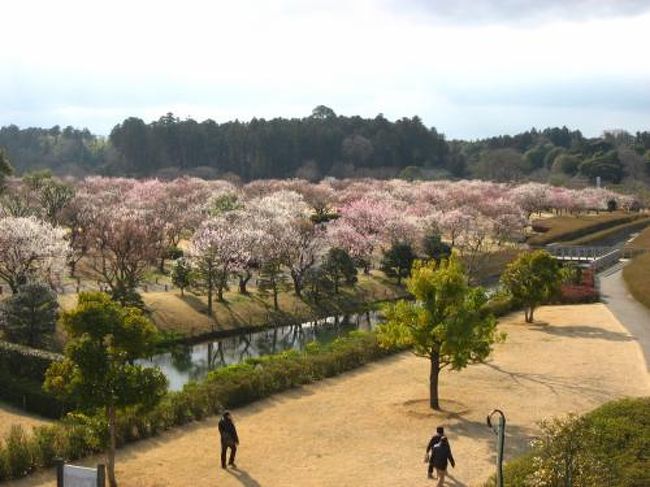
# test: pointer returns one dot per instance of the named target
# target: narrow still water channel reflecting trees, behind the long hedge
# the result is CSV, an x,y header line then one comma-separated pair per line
x,y
187,363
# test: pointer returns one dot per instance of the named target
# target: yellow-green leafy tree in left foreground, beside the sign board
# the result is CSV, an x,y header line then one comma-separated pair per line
x,y
99,371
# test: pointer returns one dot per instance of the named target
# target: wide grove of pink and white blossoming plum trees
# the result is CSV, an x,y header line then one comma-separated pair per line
x,y
123,227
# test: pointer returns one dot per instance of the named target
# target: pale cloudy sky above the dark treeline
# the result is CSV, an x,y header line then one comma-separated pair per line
x,y
470,68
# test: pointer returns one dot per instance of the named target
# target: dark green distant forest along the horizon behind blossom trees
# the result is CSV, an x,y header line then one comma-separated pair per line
x,y
326,144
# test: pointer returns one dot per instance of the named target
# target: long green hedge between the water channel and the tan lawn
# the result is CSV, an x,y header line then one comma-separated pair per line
x,y
77,435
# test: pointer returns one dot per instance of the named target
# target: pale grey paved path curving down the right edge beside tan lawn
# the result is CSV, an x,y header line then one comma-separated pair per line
x,y
632,314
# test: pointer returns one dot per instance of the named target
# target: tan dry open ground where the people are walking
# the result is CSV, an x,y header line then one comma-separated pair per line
x,y
370,427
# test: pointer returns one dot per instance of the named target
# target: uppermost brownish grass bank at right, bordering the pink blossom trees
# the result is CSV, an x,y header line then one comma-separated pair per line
x,y
565,228
